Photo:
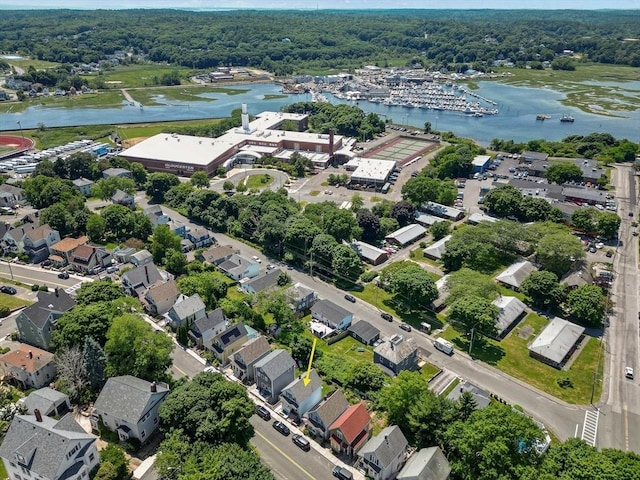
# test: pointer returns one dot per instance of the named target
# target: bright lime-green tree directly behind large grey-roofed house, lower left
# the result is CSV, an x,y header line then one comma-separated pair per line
x,y
133,348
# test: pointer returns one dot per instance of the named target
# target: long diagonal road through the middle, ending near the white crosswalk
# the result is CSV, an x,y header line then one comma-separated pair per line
x,y
563,419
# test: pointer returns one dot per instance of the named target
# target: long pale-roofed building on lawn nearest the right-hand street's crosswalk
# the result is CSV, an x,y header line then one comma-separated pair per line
x,y
557,342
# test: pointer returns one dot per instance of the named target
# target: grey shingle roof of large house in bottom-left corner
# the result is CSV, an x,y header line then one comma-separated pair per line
x,y
45,443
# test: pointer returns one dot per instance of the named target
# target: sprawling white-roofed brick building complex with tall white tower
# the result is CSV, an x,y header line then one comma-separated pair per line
x,y
183,155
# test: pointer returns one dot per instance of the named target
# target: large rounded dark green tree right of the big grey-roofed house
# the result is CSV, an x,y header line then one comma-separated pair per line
x,y
211,409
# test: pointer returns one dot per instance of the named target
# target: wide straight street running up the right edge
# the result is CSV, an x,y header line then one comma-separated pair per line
x,y
620,412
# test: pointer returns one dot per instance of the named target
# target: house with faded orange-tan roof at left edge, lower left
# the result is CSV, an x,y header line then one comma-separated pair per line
x,y
28,366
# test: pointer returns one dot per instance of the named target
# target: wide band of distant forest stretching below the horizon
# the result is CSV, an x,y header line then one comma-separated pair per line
x,y
287,42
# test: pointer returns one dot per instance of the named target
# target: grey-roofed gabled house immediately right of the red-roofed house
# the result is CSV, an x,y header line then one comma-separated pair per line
x,y
383,455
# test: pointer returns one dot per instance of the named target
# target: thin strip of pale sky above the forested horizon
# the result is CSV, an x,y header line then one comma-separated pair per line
x,y
325,4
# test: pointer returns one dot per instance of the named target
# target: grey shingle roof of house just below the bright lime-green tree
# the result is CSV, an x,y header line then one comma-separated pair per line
x,y
128,398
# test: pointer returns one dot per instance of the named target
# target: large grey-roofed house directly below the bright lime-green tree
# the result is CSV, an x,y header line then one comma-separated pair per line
x,y
129,406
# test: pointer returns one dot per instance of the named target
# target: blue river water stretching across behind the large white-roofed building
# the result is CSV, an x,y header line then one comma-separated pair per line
x,y
516,120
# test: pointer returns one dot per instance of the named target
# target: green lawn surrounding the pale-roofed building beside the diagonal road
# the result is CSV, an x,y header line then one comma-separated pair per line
x,y
512,356
